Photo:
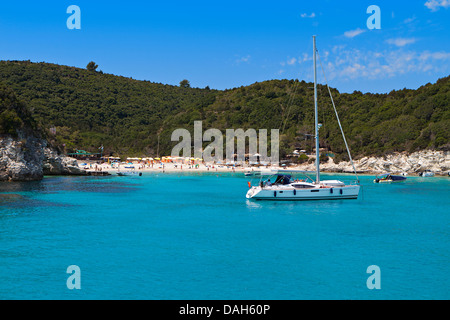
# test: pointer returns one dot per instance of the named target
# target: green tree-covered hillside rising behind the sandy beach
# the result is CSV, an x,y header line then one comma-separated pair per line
x,y
89,109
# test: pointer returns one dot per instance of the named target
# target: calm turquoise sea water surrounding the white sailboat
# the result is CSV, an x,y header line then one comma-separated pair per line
x,y
173,236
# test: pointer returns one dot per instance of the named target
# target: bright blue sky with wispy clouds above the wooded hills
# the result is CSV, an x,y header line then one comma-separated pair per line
x,y
226,44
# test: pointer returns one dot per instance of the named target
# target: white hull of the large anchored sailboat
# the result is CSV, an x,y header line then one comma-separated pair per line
x,y
290,193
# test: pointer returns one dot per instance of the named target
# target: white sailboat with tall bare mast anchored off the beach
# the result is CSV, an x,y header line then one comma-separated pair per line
x,y
284,187
